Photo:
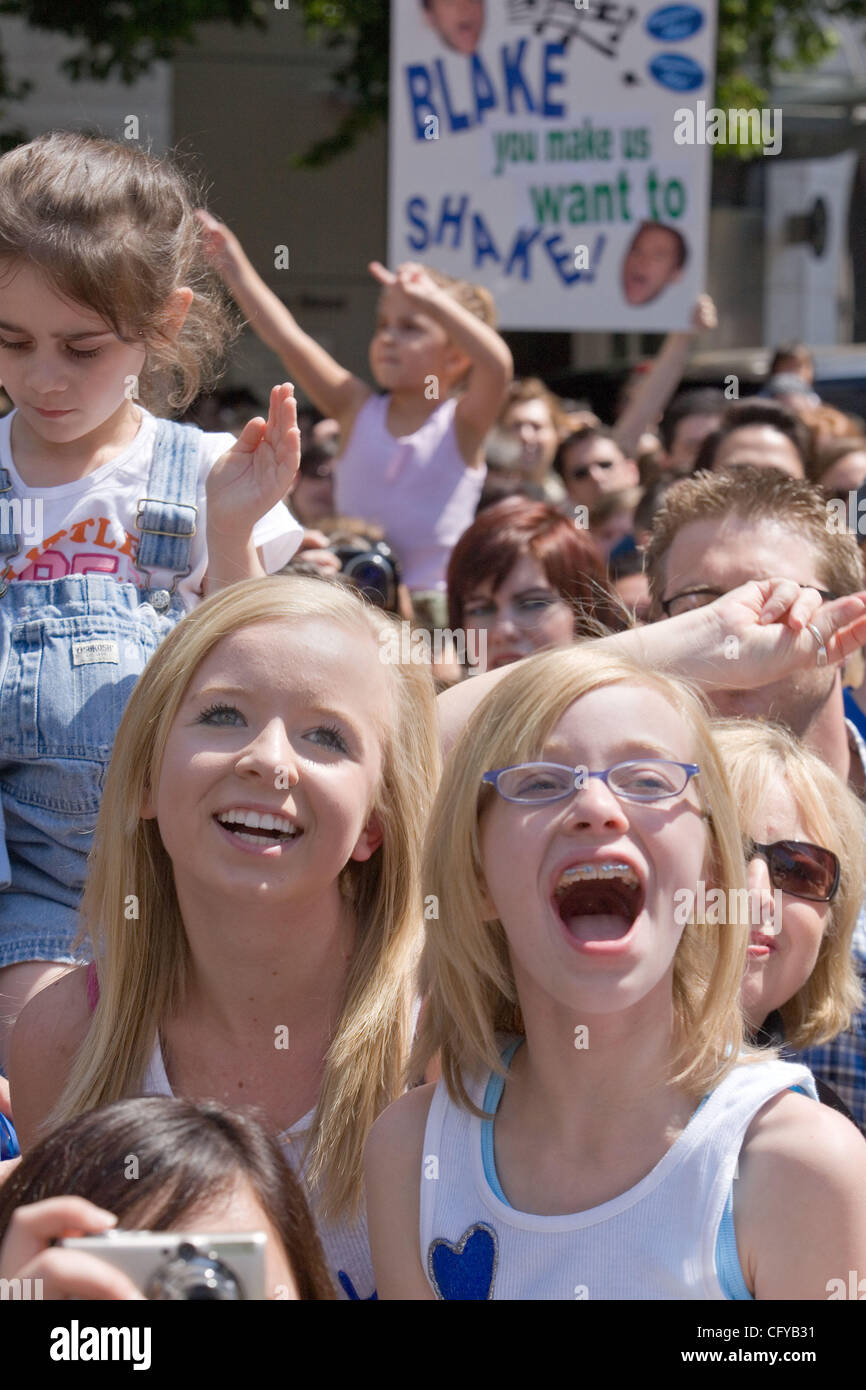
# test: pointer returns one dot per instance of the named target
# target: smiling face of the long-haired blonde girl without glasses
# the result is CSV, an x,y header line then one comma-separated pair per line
x,y
273,764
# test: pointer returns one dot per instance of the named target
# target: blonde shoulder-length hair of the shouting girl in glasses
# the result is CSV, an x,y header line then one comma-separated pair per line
x,y
466,970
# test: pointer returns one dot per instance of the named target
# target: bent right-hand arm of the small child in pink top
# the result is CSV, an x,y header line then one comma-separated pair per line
x,y
491,365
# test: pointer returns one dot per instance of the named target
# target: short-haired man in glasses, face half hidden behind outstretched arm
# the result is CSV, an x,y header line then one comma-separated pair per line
x,y
717,532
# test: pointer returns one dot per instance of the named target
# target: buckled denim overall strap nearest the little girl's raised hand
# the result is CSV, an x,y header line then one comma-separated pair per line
x,y
168,516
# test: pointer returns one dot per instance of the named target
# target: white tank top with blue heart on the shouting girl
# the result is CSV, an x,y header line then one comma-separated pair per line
x,y
657,1241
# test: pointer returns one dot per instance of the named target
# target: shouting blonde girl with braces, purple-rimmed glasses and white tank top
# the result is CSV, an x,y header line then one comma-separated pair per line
x,y
598,1095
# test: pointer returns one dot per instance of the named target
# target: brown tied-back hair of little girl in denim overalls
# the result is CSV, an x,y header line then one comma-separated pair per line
x,y
115,230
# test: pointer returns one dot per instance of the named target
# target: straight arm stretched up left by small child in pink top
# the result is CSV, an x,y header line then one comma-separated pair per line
x,y
332,389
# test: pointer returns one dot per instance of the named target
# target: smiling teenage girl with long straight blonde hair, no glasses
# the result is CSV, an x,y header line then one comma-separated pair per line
x,y
256,889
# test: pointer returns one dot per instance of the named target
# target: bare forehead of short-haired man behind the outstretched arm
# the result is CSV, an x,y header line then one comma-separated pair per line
x,y
726,553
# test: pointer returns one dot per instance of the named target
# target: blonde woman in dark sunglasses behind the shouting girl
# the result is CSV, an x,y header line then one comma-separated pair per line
x,y
806,839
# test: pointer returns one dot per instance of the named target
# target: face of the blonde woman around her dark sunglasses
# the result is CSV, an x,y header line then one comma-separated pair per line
x,y
781,961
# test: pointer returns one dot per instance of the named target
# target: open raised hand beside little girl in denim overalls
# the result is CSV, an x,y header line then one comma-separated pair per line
x,y
258,472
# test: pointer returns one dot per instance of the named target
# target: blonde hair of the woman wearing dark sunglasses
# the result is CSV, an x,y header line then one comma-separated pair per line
x,y
757,757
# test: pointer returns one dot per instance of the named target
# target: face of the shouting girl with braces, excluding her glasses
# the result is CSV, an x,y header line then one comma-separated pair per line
x,y
605,939
